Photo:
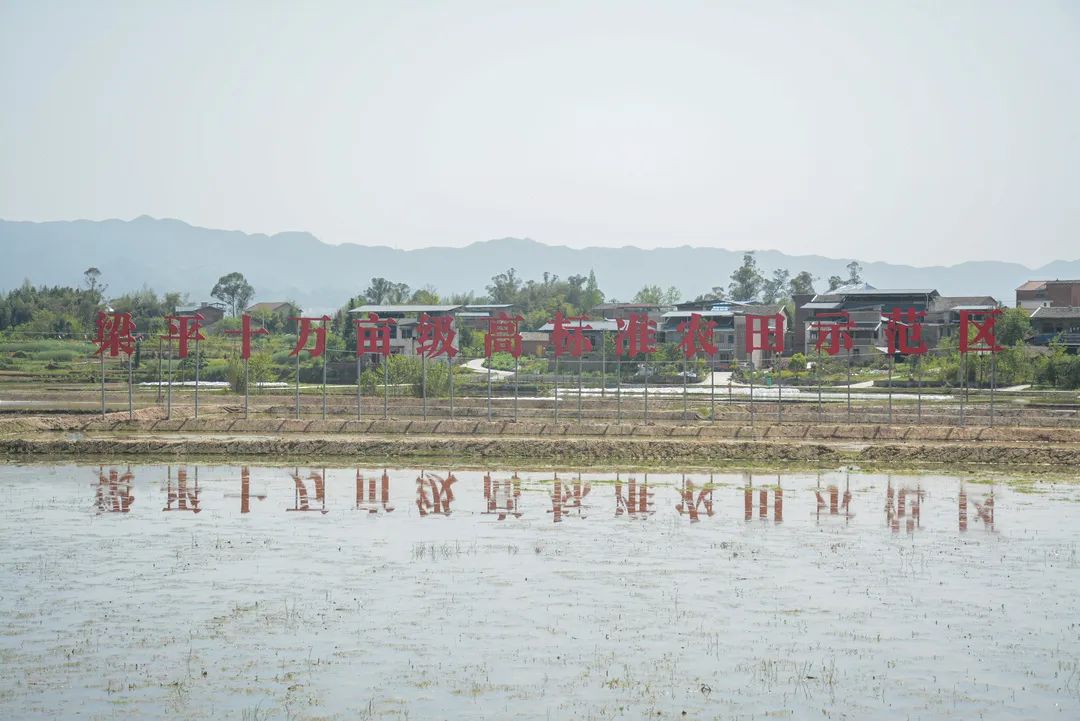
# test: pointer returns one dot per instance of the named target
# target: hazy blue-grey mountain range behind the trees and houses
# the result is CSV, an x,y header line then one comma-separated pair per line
x,y
171,255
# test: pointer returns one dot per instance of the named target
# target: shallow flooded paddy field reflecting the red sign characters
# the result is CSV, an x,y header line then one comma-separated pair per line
x,y
217,592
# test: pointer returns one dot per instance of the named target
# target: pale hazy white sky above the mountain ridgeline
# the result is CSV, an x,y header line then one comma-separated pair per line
x,y
919,132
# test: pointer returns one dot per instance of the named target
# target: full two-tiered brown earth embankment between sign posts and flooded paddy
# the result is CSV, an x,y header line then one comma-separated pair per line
x,y
150,436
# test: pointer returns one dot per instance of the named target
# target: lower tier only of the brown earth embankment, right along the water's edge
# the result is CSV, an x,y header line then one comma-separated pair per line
x,y
656,452
